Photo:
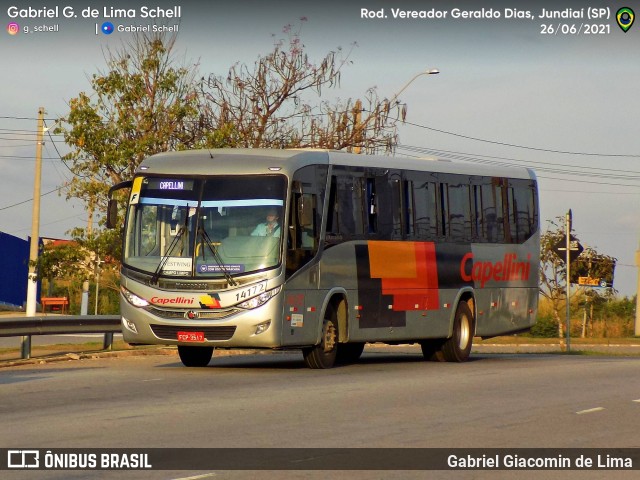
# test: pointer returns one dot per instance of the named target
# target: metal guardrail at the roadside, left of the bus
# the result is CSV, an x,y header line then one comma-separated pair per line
x,y
59,325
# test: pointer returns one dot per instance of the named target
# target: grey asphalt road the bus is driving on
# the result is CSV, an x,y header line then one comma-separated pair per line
x,y
391,398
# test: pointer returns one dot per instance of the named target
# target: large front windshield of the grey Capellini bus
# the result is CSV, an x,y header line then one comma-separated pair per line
x,y
214,227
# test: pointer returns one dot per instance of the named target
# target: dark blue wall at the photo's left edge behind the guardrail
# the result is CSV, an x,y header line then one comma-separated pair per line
x,y
14,258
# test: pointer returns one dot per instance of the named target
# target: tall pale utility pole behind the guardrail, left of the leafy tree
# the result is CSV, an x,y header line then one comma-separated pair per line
x,y
32,285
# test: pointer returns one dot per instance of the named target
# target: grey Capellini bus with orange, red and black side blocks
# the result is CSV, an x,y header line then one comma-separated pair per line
x,y
368,249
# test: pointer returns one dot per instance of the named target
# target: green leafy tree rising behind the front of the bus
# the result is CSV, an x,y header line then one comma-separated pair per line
x,y
144,103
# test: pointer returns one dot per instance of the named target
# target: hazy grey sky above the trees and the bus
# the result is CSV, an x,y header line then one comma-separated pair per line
x,y
559,95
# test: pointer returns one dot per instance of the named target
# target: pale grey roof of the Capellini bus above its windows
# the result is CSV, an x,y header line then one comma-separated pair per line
x,y
242,161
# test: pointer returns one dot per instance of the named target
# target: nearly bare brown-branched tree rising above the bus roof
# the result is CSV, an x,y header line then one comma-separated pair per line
x,y
277,103
